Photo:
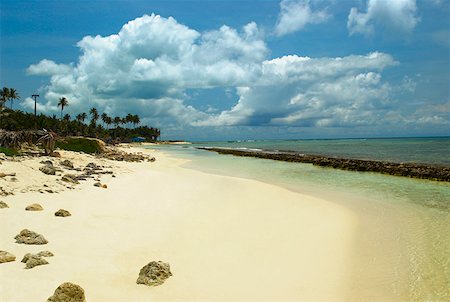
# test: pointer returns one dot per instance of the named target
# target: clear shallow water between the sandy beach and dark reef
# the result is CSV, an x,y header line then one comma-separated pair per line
x,y
402,249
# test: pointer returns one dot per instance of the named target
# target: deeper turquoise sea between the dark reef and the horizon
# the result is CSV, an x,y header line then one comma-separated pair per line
x,y
418,150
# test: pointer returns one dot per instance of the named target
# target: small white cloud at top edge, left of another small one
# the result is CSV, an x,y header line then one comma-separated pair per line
x,y
295,15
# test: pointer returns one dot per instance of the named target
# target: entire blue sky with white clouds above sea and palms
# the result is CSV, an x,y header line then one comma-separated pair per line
x,y
229,70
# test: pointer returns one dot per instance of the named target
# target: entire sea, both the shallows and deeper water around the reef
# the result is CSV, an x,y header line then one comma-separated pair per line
x,y
404,222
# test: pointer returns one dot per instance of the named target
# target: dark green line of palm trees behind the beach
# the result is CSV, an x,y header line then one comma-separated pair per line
x,y
91,124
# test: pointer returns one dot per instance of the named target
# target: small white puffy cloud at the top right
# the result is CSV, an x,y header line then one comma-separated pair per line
x,y
395,15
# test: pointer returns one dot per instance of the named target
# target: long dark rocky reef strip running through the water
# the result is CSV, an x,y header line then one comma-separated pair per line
x,y
432,172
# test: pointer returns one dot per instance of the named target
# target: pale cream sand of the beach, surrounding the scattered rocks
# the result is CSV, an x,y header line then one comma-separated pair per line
x,y
226,239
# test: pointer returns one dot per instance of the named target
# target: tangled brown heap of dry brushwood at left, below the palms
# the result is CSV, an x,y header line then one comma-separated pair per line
x,y
14,139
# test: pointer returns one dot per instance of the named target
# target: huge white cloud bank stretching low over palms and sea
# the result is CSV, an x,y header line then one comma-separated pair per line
x,y
152,63
